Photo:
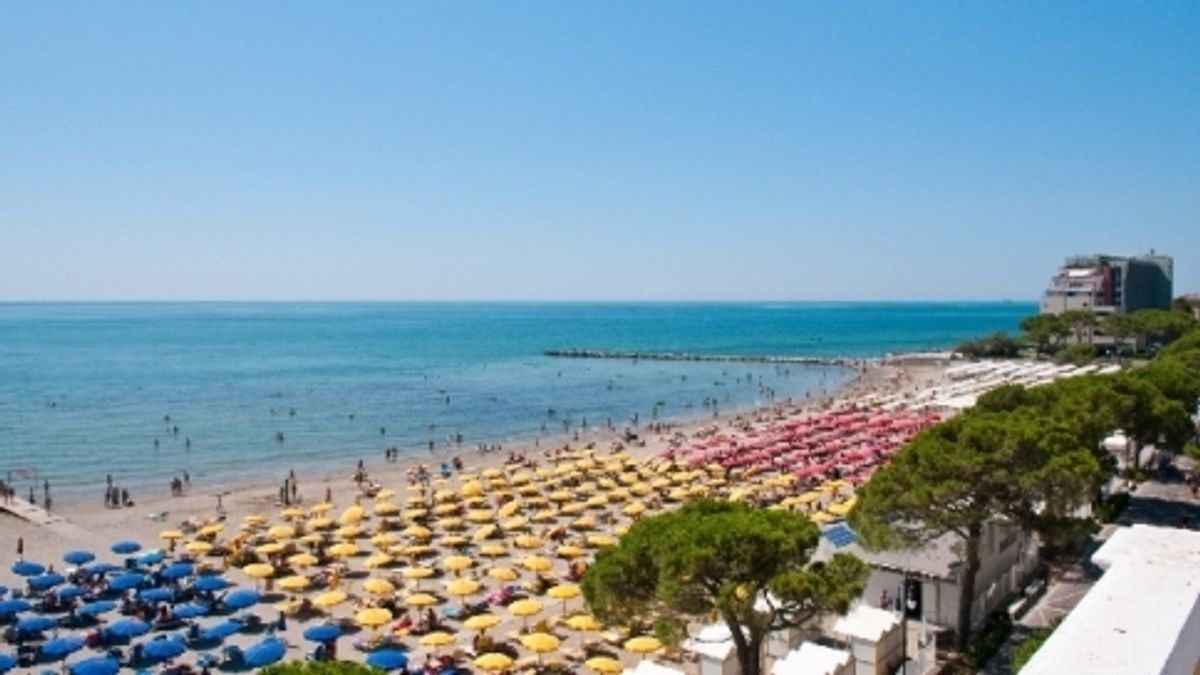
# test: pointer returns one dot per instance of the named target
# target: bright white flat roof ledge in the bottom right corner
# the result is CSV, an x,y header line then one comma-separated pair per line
x,y
1143,617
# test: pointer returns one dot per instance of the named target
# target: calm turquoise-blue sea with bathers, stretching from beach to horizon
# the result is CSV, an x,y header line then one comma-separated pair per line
x,y
233,392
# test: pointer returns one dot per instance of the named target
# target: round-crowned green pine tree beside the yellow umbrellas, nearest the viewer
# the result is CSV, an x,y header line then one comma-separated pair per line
x,y
723,558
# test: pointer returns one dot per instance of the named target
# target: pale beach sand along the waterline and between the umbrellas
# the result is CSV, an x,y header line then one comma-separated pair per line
x,y
92,527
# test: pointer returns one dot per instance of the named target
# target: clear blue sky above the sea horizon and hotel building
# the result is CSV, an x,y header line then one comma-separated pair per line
x,y
604,151
